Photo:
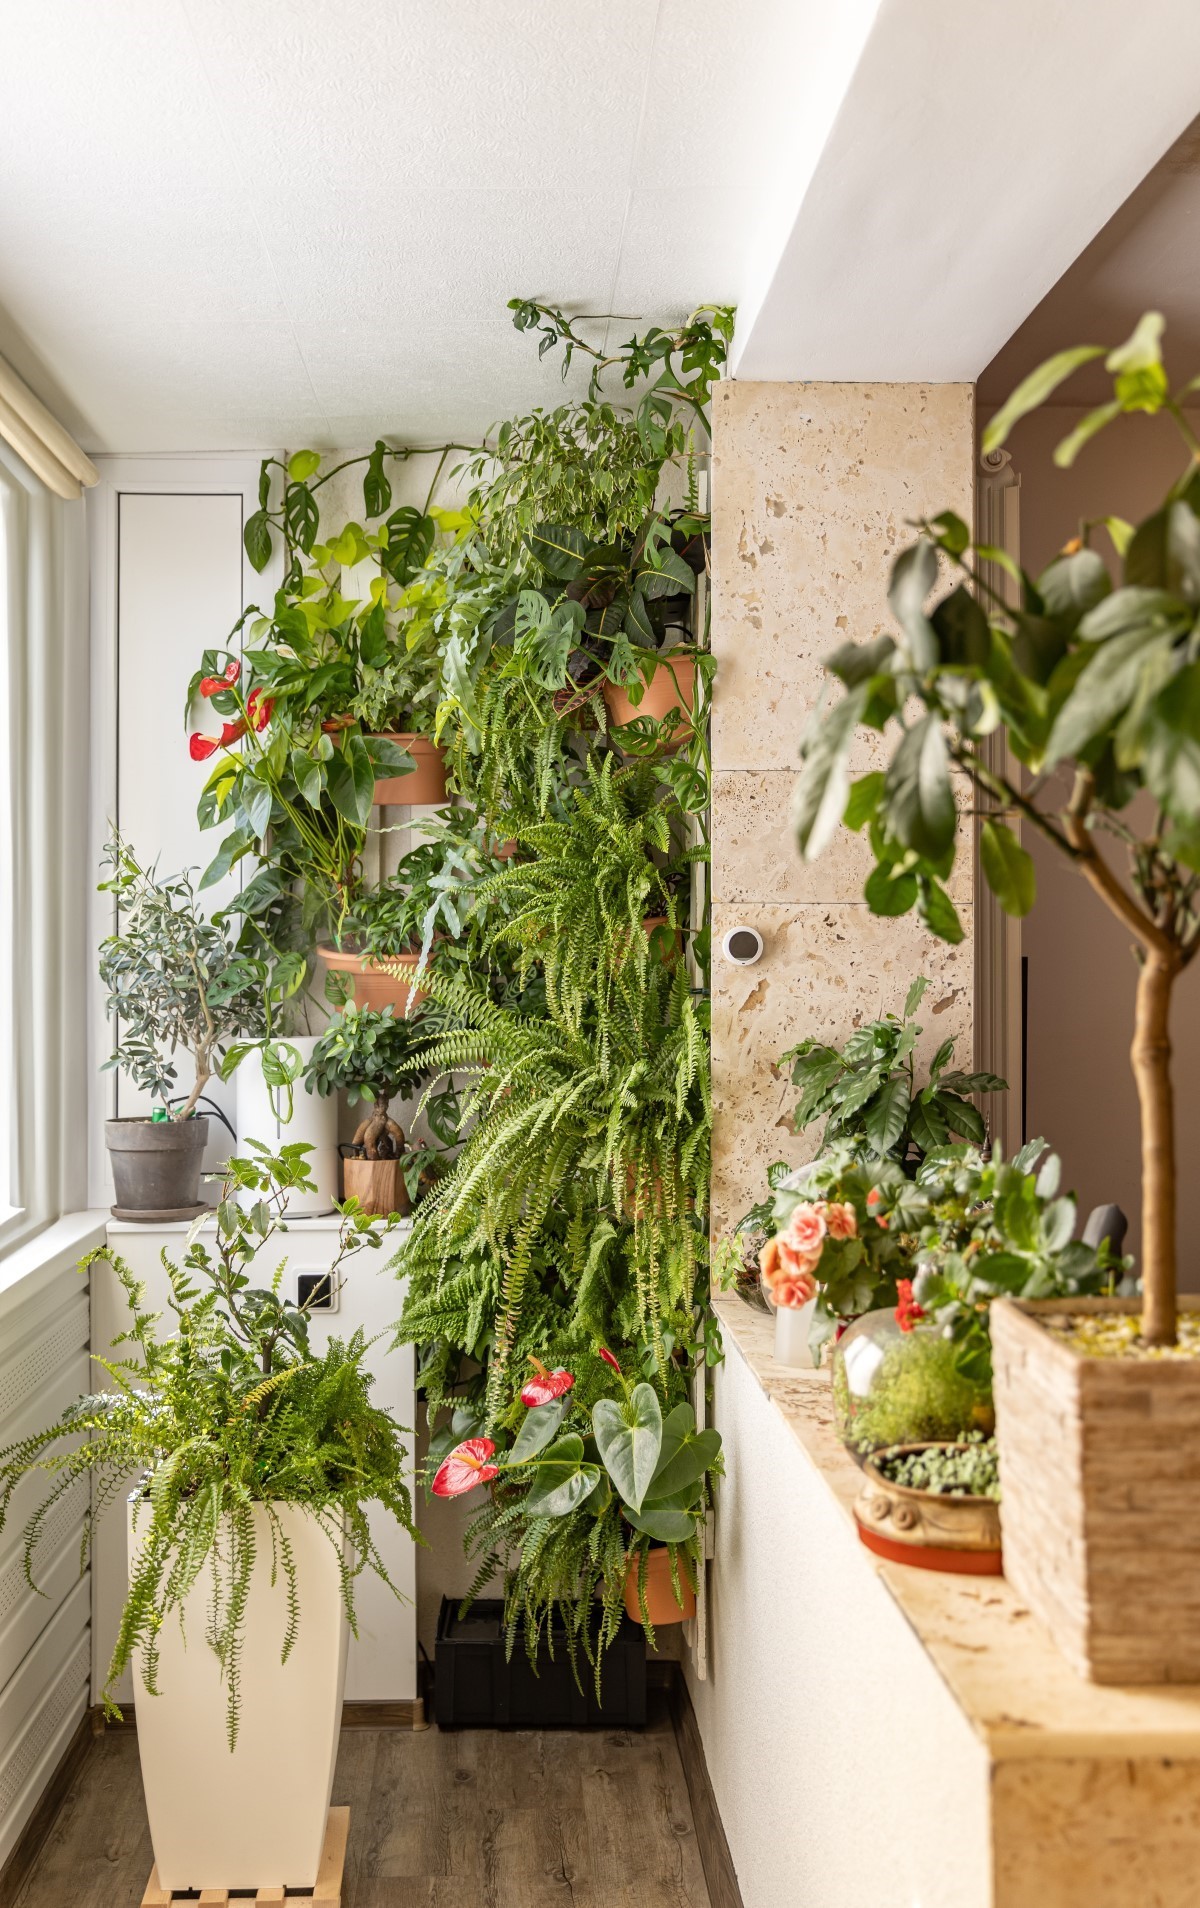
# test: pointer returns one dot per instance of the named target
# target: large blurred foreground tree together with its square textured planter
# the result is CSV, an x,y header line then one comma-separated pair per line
x,y
1094,680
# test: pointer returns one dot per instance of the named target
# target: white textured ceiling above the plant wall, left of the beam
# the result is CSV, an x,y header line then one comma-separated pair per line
x,y
278,222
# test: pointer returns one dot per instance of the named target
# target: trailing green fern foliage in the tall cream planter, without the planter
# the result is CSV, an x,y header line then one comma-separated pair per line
x,y
232,1411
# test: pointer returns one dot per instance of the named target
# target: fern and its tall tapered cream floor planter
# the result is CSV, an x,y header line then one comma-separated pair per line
x,y
255,1461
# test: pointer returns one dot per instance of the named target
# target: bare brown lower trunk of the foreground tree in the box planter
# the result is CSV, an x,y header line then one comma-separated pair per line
x,y
1151,1056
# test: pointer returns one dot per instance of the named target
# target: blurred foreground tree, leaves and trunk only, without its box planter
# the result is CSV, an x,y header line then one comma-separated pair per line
x,y
1094,680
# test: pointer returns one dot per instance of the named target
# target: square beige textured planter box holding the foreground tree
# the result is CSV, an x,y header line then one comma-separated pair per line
x,y
1100,1472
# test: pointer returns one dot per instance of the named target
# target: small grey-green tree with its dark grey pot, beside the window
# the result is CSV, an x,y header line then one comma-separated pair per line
x,y
175,984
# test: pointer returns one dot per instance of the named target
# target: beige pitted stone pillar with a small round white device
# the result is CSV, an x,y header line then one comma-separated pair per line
x,y
814,491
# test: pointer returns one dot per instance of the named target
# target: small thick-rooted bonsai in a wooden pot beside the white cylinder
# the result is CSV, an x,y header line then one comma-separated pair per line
x,y
371,1056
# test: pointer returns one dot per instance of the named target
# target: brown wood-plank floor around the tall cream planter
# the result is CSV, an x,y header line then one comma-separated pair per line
x,y
476,1819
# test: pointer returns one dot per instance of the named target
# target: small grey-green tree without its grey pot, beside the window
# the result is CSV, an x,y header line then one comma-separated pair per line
x,y
175,982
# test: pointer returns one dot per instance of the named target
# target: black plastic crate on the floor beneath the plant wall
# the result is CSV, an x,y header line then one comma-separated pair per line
x,y
476,1686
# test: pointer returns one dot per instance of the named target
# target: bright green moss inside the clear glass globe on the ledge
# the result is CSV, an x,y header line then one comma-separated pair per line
x,y
917,1396
